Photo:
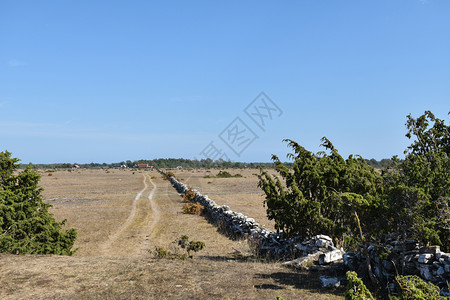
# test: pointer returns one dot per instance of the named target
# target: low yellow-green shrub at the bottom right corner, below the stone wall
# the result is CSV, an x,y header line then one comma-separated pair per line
x,y
414,288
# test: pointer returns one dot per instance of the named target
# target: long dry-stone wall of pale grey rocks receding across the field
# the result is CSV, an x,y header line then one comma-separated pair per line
x,y
427,262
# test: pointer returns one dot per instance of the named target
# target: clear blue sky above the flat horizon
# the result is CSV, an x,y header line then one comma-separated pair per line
x,y
106,81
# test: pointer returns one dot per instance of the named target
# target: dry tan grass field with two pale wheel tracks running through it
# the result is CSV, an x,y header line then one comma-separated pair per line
x,y
121,214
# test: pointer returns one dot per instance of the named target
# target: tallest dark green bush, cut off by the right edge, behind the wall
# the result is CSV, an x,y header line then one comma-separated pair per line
x,y
418,188
